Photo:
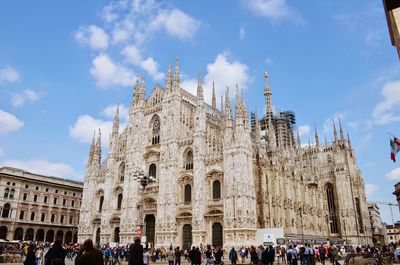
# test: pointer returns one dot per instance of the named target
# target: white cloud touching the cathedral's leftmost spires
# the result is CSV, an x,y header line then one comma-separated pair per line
x,y
86,125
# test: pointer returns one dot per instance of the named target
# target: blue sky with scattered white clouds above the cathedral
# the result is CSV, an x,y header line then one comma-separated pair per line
x,y
64,65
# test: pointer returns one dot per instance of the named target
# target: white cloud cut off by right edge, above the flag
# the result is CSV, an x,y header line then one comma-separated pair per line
x,y
384,111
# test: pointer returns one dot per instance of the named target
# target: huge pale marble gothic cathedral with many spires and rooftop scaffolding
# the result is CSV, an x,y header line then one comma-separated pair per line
x,y
220,176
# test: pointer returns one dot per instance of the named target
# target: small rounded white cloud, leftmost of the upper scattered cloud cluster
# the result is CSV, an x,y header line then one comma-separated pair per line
x,y
94,37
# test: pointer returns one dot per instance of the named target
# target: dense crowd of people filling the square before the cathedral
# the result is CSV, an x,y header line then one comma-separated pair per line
x,y
136,254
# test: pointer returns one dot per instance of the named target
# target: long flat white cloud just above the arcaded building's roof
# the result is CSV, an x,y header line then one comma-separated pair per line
x,y
44,167
